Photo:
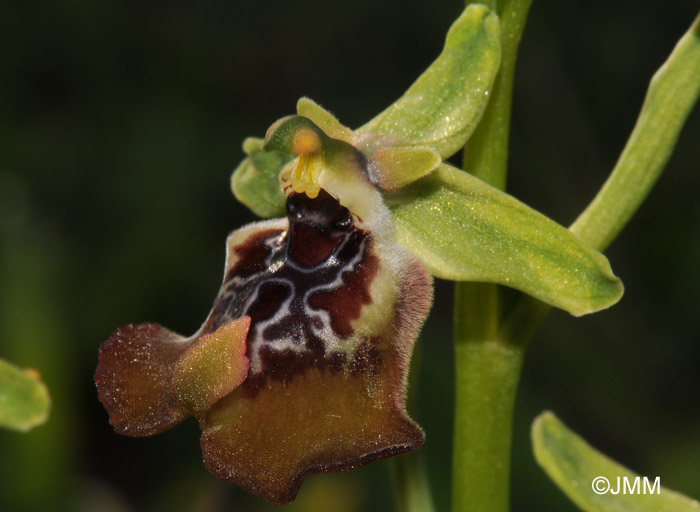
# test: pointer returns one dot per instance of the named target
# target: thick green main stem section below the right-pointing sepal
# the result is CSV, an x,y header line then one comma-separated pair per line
x,y
488,371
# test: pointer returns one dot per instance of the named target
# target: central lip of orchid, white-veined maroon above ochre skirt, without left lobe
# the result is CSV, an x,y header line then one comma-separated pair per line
x,y
332,328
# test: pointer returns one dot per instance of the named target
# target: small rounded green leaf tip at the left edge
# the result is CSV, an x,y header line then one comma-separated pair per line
x,y
24,399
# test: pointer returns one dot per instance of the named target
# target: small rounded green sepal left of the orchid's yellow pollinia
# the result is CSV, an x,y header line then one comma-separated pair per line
x,y
255,182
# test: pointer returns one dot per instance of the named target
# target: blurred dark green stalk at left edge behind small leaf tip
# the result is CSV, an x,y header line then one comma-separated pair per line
x,y
40,341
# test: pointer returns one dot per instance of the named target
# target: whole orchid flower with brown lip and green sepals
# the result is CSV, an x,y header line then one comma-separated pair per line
x,y
301,365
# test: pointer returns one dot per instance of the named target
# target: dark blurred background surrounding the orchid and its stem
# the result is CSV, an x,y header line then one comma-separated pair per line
x,y
120,123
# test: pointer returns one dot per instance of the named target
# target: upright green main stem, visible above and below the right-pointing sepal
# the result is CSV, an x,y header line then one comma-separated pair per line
x,y
487,366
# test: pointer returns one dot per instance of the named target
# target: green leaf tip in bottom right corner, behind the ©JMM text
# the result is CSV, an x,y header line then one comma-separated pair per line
x,y
573,465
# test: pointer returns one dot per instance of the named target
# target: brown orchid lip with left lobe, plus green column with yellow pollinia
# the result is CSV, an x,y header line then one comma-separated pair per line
x,y
301,365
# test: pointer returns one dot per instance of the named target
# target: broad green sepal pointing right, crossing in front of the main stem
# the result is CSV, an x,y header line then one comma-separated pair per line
x,y
465,230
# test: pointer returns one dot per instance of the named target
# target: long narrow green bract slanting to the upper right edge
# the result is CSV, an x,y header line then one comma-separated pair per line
x,y
671,96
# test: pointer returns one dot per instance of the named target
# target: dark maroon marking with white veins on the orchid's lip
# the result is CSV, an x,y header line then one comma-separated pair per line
x,y
302,287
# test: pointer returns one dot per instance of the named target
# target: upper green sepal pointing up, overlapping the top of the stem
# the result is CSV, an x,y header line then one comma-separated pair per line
x,y
442,108
